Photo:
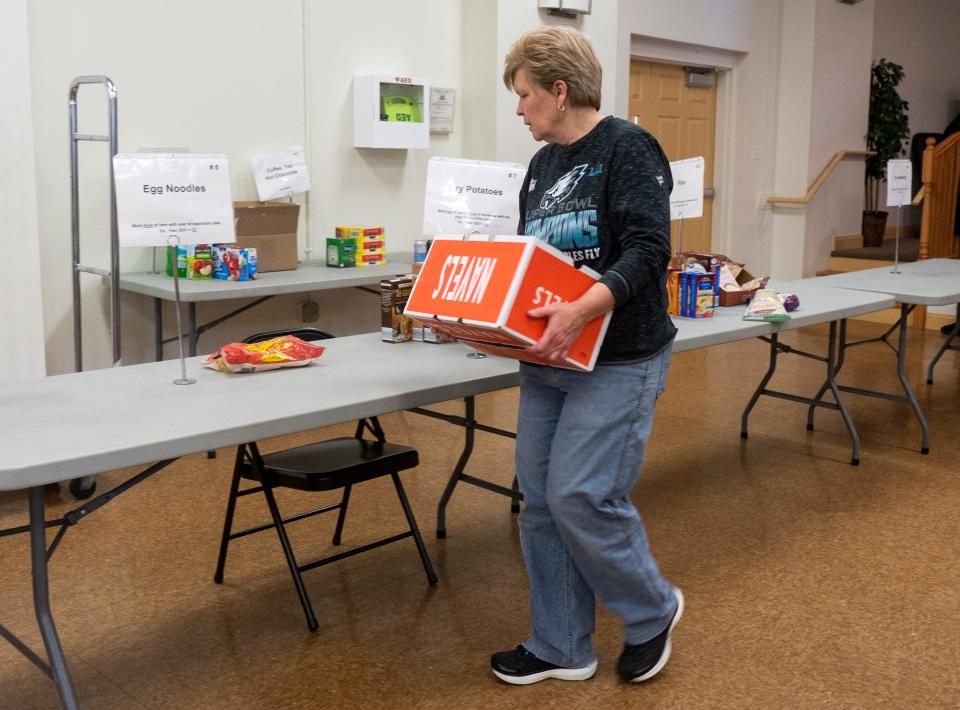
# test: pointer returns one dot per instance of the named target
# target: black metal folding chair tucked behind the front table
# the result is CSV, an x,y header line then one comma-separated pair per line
x,y
324,466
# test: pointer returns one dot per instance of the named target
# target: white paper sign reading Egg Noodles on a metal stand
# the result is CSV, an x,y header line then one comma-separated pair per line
x,y
173,198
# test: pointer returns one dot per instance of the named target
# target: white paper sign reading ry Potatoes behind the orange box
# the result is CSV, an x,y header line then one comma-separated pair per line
x,y
471,195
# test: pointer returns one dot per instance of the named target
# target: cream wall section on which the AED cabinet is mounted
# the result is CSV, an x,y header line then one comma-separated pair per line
x,y
227,76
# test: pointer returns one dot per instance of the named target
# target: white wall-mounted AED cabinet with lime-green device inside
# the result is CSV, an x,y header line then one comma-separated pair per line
x,y
391,112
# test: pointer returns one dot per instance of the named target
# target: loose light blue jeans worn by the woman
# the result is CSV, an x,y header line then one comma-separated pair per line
x,y
580,443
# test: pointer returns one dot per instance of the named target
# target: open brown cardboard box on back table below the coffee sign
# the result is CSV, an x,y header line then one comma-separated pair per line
x,y
271,228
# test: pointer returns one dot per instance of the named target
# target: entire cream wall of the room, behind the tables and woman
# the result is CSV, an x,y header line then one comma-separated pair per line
x,y
233,77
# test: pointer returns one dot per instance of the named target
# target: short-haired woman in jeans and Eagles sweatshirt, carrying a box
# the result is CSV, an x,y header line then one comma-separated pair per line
x,y
599,191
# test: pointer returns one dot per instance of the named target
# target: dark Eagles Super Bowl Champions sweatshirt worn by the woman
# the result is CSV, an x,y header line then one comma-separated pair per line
x,y
604,201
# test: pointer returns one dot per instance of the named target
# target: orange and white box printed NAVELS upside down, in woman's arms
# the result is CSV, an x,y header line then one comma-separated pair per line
x,y
478,289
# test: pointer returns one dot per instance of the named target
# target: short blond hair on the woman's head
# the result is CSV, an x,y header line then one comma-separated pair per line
x,y
557,53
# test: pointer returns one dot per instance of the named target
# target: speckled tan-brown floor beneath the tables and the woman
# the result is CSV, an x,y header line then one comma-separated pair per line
x,y
809,583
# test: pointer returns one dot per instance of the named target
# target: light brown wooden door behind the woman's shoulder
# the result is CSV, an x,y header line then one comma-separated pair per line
x,y
683,119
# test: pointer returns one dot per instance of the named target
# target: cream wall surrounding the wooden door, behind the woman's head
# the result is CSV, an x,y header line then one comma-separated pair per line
x,y
744,29
